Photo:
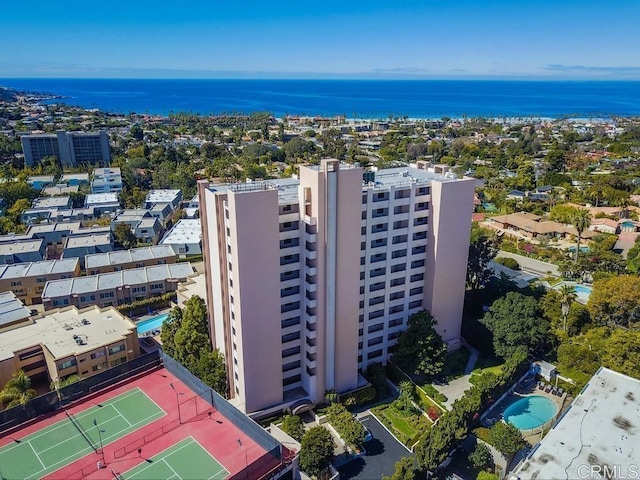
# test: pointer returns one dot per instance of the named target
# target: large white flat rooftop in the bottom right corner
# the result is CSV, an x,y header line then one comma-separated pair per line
x,y
601,427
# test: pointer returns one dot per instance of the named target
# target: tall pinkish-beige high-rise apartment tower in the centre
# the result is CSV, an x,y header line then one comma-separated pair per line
x,y
310,280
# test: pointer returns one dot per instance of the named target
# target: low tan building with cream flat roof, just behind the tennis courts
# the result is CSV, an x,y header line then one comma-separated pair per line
x,y
68,341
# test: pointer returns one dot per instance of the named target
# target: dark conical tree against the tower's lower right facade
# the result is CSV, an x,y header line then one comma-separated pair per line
x,y
420,348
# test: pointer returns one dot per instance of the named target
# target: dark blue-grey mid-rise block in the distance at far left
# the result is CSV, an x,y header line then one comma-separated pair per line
x,y
71,148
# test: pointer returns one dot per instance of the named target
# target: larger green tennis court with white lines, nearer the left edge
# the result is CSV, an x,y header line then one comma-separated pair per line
x,y
62,443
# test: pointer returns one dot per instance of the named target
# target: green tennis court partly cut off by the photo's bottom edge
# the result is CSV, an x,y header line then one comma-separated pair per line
x,y
184,460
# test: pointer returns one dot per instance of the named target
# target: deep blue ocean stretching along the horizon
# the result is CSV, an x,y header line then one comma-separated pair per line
x,y
352,98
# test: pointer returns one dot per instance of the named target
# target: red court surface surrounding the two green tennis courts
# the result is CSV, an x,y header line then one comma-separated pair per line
x,y
193,418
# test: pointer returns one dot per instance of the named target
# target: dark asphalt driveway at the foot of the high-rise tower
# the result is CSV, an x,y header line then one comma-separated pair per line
x,y
382,454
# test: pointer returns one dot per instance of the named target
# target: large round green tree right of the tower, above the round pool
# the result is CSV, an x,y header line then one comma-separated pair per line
x,y
515,321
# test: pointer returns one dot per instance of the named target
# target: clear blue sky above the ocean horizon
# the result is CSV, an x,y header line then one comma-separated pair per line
x,y
562,39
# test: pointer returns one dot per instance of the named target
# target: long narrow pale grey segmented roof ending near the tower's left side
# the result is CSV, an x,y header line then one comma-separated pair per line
x,y
110,281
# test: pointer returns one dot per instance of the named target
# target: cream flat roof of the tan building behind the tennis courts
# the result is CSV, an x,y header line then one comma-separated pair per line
x,y
55,330
